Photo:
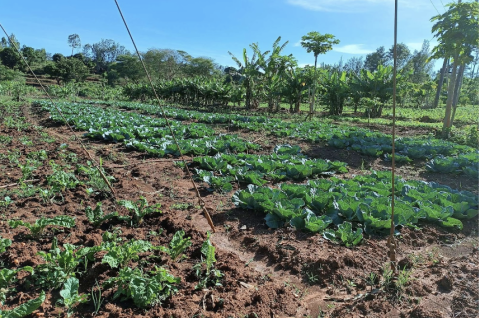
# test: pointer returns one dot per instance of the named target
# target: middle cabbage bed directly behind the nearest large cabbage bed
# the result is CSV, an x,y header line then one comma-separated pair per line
x,y
286,163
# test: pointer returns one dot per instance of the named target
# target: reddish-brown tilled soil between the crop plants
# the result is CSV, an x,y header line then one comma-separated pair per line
x,y
267,273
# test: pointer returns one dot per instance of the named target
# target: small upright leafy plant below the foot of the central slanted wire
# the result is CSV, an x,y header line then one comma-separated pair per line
x,y
205,271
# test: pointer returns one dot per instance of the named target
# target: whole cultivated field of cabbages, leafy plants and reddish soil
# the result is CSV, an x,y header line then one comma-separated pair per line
x,y
301,215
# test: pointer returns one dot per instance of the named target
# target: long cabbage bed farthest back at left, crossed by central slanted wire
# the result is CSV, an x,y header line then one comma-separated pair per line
x,y
144,133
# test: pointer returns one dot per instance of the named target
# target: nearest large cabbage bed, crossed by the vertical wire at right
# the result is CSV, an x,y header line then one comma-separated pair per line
x,y
364,202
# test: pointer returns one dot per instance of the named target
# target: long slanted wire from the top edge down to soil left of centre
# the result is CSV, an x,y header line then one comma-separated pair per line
x,y
197,192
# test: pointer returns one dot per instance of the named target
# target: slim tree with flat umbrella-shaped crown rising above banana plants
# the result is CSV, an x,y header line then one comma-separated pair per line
x,y
318,44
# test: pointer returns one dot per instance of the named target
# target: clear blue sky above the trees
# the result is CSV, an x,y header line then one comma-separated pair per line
x,y
212,28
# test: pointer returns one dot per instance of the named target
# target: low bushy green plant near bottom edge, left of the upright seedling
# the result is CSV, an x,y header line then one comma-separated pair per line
x,y
145,291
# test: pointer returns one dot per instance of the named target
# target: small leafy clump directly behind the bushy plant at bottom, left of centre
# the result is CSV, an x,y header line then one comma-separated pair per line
x,y
121,255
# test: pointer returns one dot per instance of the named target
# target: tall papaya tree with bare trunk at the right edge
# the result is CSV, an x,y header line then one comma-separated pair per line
x,y
457,34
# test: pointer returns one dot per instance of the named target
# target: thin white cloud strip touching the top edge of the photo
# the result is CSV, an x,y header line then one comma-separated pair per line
x,y
349,5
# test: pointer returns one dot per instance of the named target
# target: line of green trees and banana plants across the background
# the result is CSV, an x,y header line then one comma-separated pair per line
x,y
273,78
